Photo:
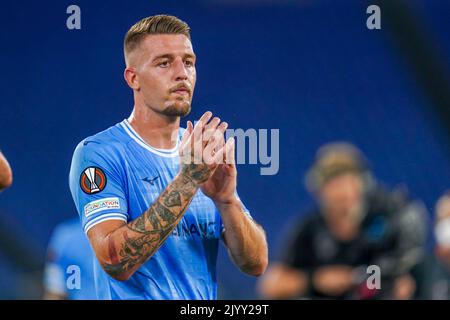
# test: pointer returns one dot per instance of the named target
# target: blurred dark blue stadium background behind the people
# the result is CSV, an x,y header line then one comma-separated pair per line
x,y
308,67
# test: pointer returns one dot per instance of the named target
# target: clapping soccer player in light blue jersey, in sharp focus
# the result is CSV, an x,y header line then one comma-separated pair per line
x,y
154,199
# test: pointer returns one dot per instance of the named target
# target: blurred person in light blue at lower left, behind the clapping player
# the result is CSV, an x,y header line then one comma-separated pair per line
x,y
68,271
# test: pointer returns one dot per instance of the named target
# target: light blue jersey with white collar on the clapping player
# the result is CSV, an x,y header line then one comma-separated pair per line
x,y
116,175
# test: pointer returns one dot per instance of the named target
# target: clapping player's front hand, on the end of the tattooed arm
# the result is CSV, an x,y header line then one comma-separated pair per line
x,y
202,148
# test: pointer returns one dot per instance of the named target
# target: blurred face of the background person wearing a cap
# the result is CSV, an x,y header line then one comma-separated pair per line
x,y
342,196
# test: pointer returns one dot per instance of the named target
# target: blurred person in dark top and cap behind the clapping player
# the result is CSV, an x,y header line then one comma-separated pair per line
x,y
357,223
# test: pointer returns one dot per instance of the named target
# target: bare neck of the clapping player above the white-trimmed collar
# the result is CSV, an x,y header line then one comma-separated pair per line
x,y
157,130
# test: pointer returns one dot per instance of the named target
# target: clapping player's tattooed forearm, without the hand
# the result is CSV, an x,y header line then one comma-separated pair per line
x,y
133,244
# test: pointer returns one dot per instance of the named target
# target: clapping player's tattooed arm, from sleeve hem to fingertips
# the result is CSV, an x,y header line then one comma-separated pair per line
x,y
122,248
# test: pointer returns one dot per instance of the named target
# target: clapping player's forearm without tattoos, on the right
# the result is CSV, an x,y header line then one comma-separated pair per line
x,y
245,239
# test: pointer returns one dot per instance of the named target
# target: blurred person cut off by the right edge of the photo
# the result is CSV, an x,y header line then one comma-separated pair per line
x,y
439,275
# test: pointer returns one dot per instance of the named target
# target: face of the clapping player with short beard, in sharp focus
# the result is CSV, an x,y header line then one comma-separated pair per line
x,y
166,73
